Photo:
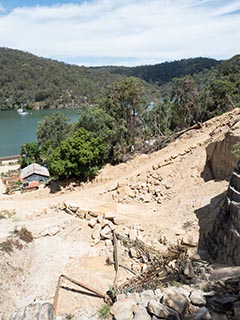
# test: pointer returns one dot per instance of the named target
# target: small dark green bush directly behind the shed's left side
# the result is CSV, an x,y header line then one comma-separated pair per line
x,y
29,153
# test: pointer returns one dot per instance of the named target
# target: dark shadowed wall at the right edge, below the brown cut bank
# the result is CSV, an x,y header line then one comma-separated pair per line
x,y
223,240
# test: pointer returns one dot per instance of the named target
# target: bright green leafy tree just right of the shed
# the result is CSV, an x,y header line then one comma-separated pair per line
x,y
80,155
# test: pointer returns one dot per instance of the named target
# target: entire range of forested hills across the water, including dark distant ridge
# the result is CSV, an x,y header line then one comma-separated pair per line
x,y
33,82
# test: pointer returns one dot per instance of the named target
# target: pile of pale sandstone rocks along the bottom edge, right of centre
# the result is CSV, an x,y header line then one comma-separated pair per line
x,y
171,303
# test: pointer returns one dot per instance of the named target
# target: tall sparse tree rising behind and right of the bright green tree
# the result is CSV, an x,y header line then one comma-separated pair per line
x,y
124,104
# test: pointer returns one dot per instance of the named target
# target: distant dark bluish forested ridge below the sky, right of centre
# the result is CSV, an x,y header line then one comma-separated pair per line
x,y
164,72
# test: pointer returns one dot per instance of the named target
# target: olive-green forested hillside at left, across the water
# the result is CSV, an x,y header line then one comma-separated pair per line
x,y
33,82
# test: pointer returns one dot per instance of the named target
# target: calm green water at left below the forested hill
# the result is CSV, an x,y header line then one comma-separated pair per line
x,y
16,129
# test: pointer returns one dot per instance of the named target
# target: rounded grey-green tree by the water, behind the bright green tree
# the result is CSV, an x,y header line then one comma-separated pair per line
x,y
52,130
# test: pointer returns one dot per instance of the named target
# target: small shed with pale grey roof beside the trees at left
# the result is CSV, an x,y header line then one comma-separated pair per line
x,y
35,172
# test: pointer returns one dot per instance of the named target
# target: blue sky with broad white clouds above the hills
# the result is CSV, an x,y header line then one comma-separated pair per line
x,y
121,32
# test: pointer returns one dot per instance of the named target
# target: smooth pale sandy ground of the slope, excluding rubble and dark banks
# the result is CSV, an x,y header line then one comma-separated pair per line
x,y
184,193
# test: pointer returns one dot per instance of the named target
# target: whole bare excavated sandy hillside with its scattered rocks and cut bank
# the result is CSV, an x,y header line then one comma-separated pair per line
x,y
160,198
